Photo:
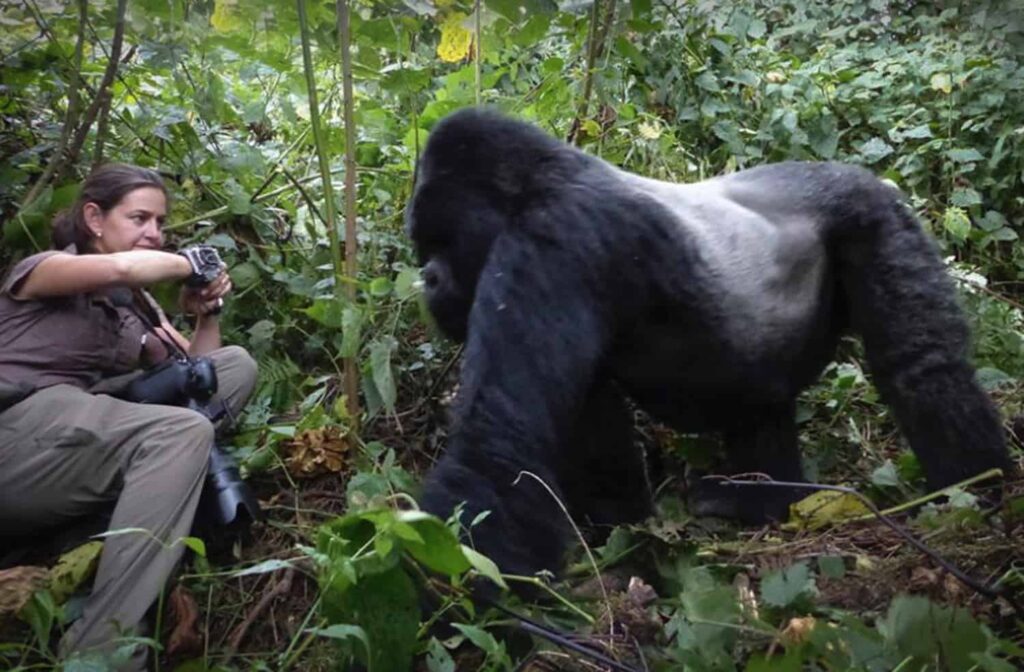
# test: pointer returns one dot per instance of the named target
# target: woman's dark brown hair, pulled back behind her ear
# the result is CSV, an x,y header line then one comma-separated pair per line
x,y
105,187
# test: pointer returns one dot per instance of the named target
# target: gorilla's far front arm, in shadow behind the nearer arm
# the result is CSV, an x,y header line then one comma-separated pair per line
x,y
605,477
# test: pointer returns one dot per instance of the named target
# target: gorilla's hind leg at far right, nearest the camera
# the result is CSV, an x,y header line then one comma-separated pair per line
x,y
904,305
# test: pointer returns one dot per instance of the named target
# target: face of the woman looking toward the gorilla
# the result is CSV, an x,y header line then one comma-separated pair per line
x,y
135,224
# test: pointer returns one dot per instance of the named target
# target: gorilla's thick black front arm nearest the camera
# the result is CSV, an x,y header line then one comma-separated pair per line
x,y
526,376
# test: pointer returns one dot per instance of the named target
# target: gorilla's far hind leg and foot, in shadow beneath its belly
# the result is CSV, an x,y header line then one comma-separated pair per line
x,y
762,441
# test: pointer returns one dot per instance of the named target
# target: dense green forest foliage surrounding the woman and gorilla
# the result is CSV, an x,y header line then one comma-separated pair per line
x,y
216,95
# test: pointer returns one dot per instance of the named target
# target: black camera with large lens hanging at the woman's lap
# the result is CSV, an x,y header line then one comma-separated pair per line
x,y
192,383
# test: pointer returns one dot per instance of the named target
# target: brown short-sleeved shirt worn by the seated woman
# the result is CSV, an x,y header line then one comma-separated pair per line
x,y
76,340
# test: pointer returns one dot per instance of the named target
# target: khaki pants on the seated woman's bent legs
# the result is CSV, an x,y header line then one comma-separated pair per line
x,y
66,453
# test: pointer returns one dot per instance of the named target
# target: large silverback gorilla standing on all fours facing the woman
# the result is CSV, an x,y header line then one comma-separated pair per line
x,y
711,306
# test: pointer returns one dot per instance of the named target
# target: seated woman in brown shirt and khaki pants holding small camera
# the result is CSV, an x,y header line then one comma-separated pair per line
x,y
71,320
